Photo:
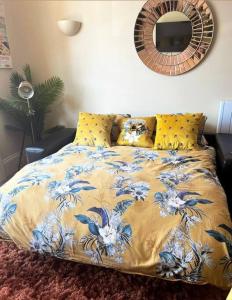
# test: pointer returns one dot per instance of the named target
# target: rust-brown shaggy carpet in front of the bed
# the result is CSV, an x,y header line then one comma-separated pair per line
x,y
25,275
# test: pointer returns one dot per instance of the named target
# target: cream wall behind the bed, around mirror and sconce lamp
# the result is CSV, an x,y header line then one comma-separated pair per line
x,y
100,67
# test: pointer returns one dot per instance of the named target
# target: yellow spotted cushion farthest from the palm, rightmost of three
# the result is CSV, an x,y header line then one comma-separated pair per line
x,y
177,131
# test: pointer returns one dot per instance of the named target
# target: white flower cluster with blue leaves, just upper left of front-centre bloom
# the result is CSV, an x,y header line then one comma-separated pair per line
x,y
66,192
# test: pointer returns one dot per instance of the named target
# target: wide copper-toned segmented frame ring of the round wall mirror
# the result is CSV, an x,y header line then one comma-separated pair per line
x,y
201,18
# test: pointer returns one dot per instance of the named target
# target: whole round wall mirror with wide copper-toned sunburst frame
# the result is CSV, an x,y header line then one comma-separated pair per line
x,y
173,36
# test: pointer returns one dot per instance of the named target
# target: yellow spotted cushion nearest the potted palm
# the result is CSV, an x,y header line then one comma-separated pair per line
x,y
94,130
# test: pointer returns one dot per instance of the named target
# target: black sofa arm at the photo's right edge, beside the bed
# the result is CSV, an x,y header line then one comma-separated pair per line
x,y
224,163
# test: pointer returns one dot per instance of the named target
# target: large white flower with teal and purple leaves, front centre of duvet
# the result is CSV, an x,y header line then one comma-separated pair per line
x,y
108,237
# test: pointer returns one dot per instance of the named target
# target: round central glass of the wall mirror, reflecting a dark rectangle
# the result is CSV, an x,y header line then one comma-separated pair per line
x,y
172,33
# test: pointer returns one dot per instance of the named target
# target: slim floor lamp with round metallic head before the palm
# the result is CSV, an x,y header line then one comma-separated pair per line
x,y
26,92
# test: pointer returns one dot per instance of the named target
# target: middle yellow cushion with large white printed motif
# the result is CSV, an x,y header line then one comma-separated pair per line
x,y
136,132
